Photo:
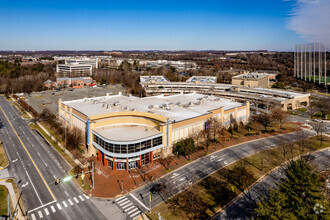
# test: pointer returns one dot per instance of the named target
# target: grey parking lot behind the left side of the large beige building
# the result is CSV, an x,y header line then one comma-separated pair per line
x,y
49,99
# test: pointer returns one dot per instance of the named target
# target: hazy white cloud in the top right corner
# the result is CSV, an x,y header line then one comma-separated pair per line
x,y
311,20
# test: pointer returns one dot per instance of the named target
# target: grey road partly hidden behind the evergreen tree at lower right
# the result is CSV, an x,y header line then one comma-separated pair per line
x,y
243,207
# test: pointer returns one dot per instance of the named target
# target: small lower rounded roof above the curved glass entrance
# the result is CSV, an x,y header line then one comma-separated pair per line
x,y
126,132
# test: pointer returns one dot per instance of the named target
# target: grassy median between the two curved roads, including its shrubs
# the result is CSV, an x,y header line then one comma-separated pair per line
x,y
205,198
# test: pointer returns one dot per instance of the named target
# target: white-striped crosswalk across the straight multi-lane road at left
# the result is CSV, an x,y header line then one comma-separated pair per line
x,y
57,206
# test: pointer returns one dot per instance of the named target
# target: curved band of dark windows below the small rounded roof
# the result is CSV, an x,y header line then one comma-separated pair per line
x,y
128,148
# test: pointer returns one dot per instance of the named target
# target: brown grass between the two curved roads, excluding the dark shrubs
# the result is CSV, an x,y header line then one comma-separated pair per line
x,y
258,165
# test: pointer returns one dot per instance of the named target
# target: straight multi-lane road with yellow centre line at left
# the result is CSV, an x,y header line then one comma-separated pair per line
x,y
34,165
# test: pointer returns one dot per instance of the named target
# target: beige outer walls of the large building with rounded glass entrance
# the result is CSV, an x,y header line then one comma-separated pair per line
x,y
177,130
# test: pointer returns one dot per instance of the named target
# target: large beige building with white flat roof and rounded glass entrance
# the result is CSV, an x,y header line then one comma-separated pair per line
x,y
126,132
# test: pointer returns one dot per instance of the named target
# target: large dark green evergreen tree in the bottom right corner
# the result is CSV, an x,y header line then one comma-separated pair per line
x,y
299,192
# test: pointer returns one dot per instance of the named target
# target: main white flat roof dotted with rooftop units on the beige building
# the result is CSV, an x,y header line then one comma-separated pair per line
x,y
175,107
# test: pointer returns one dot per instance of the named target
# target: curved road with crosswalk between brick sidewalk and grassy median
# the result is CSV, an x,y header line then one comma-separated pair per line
x,y
182,178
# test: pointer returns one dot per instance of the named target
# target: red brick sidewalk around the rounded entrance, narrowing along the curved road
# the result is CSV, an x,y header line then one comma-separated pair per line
x,y
108,182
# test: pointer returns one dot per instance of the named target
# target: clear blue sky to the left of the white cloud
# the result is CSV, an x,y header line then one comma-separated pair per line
x,y
140,25
